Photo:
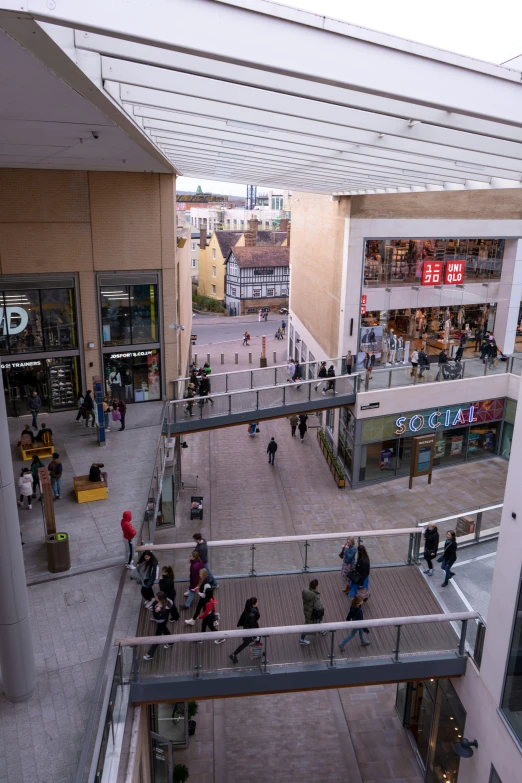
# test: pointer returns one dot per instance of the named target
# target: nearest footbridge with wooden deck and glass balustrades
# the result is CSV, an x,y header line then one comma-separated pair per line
x,y
410,636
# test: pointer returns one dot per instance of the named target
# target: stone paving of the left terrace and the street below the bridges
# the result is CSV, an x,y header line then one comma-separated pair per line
x,y
351,735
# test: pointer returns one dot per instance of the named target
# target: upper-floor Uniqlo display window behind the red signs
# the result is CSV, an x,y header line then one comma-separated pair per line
x,y
400,261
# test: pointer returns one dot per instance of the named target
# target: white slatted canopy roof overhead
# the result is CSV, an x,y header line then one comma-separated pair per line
x,y
252,91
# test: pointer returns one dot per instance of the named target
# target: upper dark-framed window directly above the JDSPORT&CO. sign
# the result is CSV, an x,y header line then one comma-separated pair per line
x,y
130,314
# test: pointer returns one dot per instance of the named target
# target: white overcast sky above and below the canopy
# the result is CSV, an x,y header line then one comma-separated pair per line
x,y
477,28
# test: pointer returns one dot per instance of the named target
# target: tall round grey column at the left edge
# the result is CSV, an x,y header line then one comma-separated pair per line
x,y
16,643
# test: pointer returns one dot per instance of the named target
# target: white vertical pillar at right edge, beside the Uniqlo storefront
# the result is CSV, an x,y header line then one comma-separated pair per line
x,y
510,294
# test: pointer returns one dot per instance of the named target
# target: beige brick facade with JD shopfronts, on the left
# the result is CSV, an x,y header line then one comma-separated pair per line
x,y
92,283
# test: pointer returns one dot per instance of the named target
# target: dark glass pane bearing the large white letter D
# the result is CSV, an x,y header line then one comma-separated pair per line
x,y
22,317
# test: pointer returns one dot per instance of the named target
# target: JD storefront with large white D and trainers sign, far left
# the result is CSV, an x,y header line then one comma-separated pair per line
x,y
39,345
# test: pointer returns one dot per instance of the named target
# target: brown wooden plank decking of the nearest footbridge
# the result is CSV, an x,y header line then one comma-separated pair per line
x,y
395,592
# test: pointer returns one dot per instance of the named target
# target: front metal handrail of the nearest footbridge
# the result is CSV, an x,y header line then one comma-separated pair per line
x,y
283,630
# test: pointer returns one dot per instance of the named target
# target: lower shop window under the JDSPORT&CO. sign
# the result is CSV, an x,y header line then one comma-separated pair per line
x,y
134,376
